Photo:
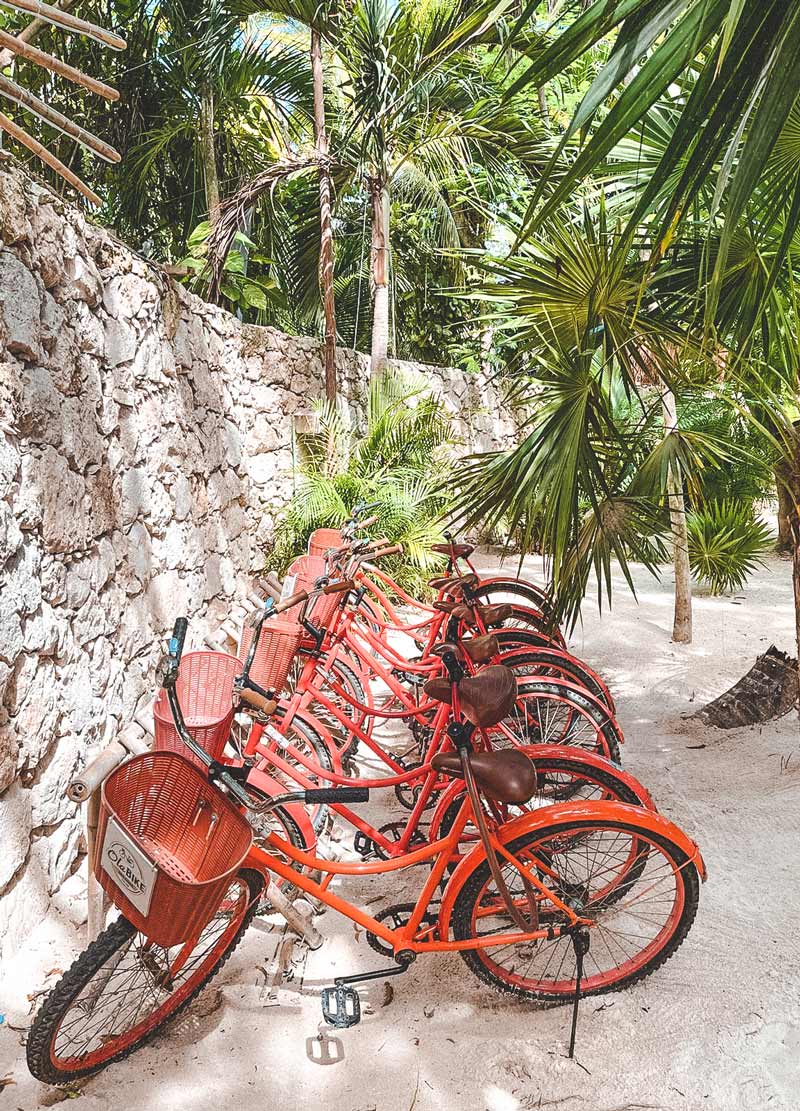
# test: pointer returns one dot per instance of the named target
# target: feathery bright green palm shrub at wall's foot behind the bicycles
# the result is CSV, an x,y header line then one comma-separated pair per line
x,y
401,464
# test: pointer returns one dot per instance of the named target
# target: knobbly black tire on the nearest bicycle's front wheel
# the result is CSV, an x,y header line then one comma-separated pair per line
x,y
91,965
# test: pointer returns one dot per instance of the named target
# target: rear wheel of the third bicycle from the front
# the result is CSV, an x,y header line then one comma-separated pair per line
x,y
552,712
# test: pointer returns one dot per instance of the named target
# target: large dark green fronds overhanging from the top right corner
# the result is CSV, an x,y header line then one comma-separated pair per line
x,y
746,82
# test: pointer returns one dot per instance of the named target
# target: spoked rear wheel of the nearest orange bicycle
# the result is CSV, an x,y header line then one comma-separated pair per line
x,y
638,918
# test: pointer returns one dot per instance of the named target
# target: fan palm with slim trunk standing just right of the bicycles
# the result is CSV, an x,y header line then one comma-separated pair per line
x,y
591,479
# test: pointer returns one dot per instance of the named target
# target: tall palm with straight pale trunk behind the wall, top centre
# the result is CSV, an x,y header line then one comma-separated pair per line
x,y
414,111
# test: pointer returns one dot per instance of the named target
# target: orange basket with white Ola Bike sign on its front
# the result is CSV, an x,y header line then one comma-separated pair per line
x,y
168,846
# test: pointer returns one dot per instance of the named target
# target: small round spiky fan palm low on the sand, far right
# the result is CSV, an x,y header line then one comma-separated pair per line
x,y
727,544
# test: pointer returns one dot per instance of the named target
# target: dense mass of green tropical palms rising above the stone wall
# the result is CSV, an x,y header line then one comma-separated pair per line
x,y
599,201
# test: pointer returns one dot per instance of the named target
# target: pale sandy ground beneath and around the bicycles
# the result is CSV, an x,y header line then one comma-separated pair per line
x,y
717,1028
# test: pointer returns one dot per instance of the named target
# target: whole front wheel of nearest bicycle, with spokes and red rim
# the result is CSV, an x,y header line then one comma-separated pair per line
x,y
119,993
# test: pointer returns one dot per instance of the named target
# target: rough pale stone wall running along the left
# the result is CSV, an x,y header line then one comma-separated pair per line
x,y
145,449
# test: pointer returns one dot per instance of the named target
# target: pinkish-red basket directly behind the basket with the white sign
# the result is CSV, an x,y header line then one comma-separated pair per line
x,y
206,694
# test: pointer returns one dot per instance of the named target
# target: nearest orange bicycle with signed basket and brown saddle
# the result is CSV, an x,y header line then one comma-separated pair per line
x,y
568,900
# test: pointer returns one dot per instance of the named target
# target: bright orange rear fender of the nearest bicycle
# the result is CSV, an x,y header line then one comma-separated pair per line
x,y
563,815
